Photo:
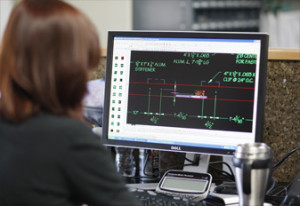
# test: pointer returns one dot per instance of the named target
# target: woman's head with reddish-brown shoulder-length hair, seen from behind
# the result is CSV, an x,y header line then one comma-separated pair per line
x,y
46,52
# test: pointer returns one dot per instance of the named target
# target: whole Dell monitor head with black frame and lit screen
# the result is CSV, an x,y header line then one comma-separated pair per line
x,y
199,92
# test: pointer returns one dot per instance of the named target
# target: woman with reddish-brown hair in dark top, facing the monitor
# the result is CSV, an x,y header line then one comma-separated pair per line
x,y
48,155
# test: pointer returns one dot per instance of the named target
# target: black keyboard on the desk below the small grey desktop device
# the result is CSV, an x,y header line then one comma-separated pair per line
x,y
151,198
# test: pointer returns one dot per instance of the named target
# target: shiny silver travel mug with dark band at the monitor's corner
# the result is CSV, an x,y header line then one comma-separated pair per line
x,y
252,164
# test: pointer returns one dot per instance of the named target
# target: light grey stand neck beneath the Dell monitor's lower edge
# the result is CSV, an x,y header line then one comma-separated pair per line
x,y
202,161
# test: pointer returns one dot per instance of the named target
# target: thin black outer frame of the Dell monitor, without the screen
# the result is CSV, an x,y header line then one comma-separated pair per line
x,y
264,37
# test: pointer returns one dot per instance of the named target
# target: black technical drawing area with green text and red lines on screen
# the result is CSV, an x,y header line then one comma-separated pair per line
x,y
193,90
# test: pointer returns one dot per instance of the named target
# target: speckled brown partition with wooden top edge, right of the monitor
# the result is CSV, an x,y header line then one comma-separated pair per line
x,y
282,111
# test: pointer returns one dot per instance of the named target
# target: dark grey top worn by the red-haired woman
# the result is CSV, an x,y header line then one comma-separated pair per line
x,y
50,160
